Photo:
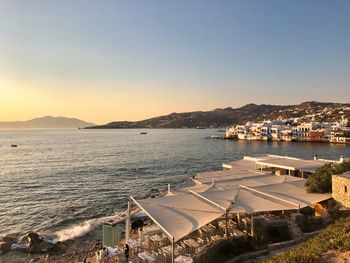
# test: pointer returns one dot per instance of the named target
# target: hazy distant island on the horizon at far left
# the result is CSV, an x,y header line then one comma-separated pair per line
x,y
47,122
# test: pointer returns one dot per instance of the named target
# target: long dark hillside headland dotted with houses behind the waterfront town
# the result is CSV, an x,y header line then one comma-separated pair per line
x,y
222,118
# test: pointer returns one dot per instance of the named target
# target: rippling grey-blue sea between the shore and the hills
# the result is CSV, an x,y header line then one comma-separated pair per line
x,y
56,179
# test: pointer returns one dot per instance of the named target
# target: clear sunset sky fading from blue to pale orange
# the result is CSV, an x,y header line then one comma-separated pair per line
x,y
104,61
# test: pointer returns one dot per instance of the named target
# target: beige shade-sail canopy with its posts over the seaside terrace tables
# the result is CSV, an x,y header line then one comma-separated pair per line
x,y
181,213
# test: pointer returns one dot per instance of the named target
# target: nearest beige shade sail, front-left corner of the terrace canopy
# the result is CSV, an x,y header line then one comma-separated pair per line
x,y
180,214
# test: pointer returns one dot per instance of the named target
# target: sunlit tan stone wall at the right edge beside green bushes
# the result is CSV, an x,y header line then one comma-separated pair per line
x,y
338,190
